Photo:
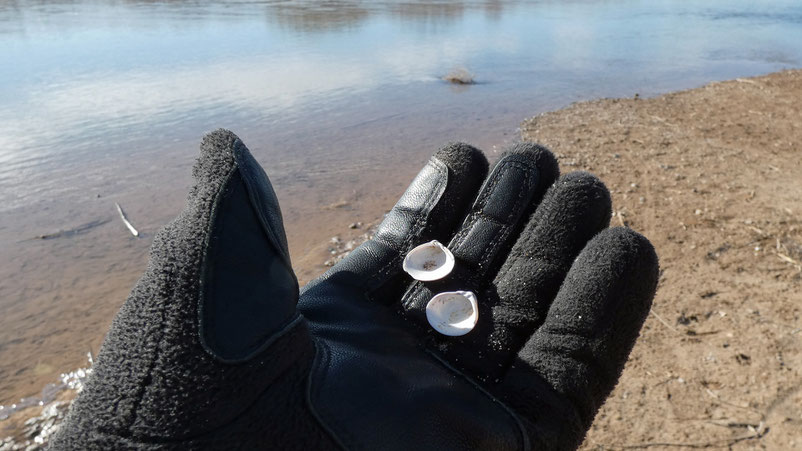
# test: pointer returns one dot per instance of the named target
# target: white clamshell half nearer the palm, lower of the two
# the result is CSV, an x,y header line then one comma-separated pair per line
x,y
453,313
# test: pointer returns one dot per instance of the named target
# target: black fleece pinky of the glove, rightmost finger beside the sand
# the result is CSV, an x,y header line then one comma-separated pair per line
x,y
572,362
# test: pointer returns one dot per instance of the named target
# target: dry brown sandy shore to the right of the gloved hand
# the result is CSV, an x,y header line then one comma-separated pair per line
x,y
713,176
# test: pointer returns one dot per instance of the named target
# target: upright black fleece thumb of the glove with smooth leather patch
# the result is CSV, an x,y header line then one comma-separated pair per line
x,y
211,324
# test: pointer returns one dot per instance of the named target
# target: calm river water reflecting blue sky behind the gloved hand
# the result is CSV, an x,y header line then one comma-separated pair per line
x,y
105,101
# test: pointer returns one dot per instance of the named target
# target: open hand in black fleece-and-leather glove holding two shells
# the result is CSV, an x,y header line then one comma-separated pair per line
x,y
214,349
